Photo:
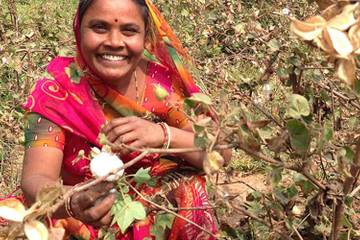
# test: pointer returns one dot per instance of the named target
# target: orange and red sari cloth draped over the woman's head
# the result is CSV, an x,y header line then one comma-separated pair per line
x,y
166,49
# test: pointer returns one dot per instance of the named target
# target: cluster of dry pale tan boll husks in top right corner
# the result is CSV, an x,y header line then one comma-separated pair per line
x,y
336,31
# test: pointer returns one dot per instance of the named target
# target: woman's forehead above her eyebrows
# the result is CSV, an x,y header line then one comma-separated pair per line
x,y
124,10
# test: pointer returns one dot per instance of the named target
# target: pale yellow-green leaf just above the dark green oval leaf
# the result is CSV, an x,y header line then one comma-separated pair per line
x,y
298,106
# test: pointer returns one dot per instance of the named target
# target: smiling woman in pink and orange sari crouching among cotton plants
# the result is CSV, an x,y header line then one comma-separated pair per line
x,y
109,88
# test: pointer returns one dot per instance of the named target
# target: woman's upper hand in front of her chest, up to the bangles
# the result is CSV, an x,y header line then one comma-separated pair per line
x,y
135,132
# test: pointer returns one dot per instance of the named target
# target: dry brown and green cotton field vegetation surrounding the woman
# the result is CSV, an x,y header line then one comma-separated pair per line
x,y
280,103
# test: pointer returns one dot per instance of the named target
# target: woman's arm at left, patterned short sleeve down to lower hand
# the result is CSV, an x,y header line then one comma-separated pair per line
x,y
42,168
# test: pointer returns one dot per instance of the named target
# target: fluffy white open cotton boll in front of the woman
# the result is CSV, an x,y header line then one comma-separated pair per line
x,y
105,163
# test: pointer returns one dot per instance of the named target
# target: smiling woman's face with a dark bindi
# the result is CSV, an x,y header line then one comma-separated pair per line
x,y
113,38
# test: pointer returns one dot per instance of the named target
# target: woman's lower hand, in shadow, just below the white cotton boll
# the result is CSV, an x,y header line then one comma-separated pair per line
x,y
93,206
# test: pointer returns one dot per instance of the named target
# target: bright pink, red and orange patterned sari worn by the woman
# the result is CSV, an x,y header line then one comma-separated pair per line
x,y
79,107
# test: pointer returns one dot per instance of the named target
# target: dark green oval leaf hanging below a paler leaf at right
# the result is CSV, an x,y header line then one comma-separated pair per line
x,y
299,136
